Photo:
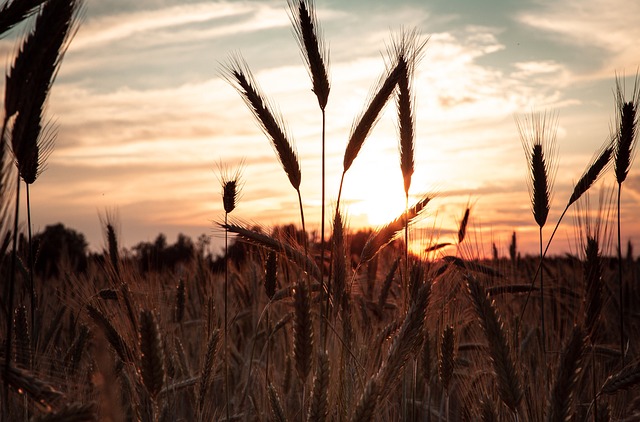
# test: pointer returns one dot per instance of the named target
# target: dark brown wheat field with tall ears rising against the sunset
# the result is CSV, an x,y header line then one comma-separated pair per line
x,y
343,327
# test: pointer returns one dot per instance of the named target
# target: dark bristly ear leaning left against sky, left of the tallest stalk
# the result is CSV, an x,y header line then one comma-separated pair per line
x,y
239,75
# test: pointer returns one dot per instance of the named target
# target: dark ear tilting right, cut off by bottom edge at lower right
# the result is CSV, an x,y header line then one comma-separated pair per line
x,y
562,393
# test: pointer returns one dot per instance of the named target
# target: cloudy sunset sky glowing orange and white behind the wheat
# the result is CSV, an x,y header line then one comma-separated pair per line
x,y
146,120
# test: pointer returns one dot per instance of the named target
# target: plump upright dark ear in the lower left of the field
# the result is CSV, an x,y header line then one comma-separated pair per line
x,y
151,353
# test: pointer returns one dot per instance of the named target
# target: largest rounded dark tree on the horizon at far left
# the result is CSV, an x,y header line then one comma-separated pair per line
x,y
59,247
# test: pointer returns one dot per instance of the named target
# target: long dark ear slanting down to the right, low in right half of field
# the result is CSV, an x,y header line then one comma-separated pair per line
x,y
509,385
